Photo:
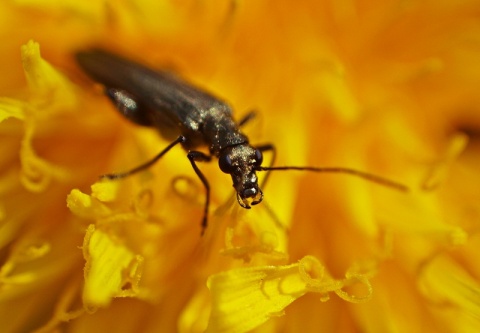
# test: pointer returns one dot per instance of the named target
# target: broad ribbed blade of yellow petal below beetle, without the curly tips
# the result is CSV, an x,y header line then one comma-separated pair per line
x,y
244,298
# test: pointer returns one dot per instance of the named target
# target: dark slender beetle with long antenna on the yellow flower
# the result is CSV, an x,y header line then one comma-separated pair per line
x,y
191,117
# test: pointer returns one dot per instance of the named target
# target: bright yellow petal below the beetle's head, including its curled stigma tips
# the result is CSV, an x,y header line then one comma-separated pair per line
x,y
245,298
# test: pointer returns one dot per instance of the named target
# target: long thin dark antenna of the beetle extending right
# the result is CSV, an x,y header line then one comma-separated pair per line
x,y
368,176
